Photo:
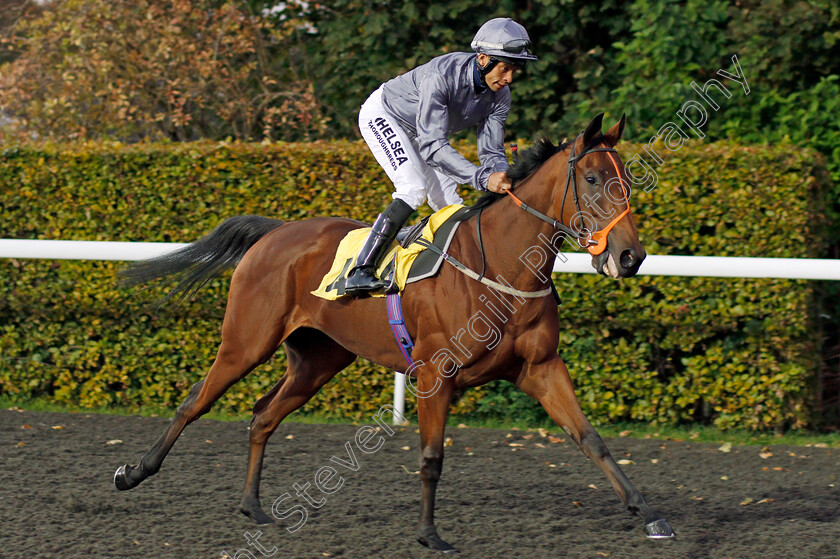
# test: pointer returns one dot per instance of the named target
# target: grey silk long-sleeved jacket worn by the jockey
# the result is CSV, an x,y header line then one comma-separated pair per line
x,y
438,99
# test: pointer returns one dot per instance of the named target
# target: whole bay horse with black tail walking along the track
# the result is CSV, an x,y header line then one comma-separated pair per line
x,y
279,264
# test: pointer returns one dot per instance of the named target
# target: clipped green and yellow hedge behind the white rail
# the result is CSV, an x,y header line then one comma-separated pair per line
x,y
727,351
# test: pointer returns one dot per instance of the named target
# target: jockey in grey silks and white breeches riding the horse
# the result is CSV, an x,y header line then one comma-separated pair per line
x,y
407,123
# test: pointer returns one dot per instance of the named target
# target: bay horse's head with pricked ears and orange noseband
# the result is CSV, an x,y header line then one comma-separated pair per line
x,y
595,201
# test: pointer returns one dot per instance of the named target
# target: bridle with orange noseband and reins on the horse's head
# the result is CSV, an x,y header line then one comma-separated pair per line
x,y
594,241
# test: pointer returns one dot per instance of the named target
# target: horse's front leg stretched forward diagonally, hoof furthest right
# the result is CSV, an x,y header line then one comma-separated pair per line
x,y
549,382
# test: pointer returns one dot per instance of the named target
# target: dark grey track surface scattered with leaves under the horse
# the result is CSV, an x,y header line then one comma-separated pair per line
x,y
495,499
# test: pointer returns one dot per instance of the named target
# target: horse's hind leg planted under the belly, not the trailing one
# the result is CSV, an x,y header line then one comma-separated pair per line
x,y
314,359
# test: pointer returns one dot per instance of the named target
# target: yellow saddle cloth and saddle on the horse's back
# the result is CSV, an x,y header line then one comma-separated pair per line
x,y
407,261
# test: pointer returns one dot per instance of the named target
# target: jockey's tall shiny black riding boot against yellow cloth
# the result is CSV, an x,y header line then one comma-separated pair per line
x,y
362,277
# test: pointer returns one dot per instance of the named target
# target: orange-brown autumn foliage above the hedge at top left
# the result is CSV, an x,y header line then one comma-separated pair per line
x,y
135,69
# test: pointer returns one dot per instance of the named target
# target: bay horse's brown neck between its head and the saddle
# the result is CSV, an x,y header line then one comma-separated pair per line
x,y
514,236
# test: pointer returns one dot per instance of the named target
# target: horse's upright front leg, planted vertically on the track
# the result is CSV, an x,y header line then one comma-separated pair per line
x,y
431,413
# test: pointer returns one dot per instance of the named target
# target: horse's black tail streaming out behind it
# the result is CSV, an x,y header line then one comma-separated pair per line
x,y
201,261
